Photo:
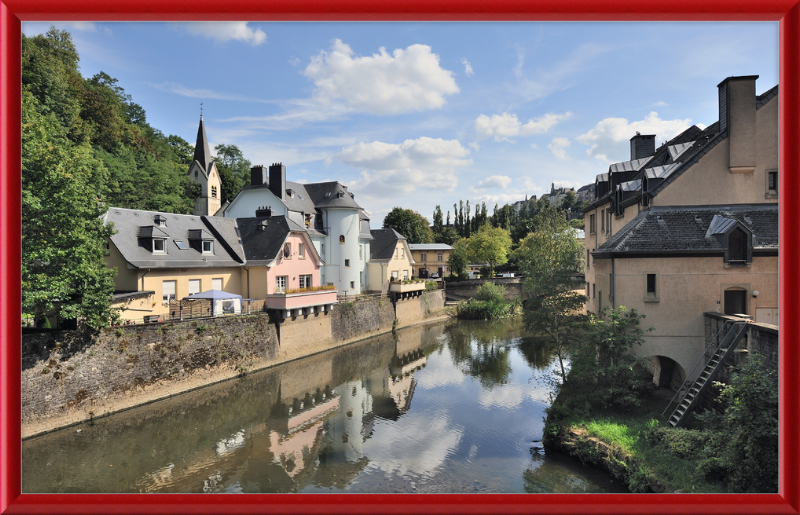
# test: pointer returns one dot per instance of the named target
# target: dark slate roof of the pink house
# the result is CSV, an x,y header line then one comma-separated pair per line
x,y
262,247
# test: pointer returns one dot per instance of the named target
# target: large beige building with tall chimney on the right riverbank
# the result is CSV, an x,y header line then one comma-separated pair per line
x,y
690,227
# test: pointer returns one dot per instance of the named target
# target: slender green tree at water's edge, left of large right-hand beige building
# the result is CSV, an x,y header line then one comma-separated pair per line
x,y
549,257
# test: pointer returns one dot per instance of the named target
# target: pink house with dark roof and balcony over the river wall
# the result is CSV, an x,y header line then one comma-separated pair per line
x,y
284,267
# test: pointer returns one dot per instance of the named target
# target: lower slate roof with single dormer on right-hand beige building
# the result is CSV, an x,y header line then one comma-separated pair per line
x,y
684,229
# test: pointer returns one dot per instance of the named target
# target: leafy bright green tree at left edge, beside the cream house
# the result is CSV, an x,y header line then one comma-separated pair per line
x,y
63,234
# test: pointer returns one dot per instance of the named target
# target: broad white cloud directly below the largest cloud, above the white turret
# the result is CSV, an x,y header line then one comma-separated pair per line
x,y
392,169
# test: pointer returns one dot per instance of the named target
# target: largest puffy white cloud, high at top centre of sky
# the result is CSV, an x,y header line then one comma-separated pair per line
x,y
384,84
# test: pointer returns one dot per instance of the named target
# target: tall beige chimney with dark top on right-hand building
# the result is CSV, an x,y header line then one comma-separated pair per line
x,y
737,115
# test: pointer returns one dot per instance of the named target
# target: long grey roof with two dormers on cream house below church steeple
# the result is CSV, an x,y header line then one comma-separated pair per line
x,y
129,224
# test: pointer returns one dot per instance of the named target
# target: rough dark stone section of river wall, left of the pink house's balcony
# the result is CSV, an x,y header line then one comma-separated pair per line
x,y
83,370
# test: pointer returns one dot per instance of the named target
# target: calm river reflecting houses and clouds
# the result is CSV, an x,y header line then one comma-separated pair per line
x,y
451,407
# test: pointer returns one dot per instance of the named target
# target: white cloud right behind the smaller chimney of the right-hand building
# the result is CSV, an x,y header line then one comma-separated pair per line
x,y
608,140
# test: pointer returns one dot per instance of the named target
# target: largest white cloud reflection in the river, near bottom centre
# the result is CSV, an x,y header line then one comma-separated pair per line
x,y
417,446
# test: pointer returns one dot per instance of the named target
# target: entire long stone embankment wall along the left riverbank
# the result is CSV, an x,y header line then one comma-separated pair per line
x,y
72,376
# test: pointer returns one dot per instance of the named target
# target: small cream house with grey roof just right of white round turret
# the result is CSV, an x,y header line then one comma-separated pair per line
x,y
390,257
